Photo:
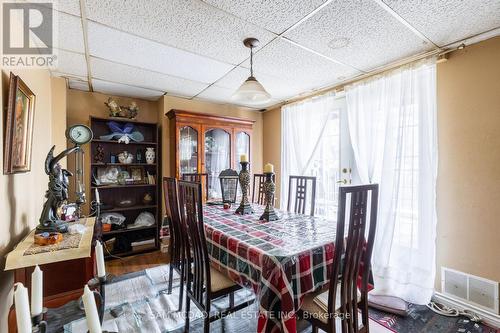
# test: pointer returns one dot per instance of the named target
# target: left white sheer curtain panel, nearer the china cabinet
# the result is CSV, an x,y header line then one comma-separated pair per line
x,y
304,127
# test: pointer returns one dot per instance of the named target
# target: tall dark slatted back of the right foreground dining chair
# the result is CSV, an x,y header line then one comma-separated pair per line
x,y
351,263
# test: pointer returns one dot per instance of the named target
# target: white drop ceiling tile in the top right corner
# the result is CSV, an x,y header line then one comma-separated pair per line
x,y
447,21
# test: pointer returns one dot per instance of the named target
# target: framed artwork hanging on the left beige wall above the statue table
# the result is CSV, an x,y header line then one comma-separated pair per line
x,y
18,127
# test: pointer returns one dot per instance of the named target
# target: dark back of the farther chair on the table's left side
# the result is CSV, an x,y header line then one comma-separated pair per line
x,y
175,227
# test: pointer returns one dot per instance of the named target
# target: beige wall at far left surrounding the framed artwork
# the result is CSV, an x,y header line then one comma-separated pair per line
x,y
22,195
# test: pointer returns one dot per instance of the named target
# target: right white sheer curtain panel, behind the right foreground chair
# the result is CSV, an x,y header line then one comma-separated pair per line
x,y
392,124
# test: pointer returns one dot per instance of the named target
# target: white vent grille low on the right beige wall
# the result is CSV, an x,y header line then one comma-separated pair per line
x,y
471,289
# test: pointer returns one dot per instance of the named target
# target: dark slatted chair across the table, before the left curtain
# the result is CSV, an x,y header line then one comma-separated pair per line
x,y
298,192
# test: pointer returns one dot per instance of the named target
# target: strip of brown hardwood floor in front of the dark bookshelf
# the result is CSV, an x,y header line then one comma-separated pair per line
x,y
136,263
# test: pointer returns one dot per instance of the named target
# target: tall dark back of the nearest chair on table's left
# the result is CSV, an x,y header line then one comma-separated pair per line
x,y
191,212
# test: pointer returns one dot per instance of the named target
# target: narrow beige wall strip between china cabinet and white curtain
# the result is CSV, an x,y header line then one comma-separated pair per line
x,y
272,145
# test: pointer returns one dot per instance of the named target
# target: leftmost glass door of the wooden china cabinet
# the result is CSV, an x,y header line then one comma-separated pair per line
x,y
188,150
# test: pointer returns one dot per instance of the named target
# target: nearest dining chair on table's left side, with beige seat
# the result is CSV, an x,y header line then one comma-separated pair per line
x,y
205,283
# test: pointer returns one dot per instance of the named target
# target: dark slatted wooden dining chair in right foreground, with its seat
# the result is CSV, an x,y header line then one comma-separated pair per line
x,y
348,287
